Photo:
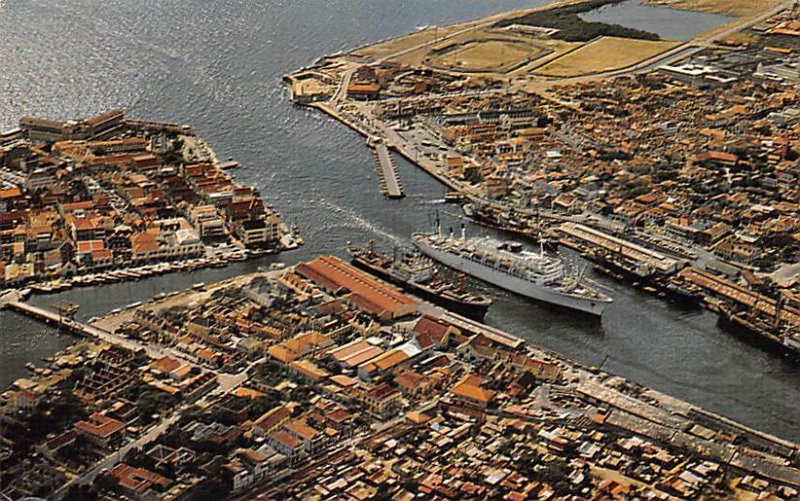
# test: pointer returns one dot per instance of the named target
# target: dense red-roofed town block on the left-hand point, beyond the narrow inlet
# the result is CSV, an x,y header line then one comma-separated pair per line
x,y
108,199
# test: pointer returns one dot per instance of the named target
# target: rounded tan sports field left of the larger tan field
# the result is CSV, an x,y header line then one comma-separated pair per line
x,y
486,56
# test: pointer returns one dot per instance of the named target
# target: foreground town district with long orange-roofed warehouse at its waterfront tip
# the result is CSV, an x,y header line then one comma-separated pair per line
x,y
313,380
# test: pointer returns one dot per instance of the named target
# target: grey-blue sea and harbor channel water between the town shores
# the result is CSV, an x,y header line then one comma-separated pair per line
x,y
218,66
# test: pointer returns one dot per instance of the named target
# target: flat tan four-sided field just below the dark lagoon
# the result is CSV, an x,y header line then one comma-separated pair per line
x,y
605,54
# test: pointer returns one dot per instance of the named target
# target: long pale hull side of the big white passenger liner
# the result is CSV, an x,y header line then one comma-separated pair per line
x,y
517,285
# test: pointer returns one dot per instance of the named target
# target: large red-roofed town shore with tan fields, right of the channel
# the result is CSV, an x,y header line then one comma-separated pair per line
x,y
683,158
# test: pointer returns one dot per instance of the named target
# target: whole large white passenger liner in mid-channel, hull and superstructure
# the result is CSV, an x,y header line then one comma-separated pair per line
x,y
507,265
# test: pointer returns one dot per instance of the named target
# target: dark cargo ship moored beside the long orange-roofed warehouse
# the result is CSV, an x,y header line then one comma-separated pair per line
x,y
417,275
